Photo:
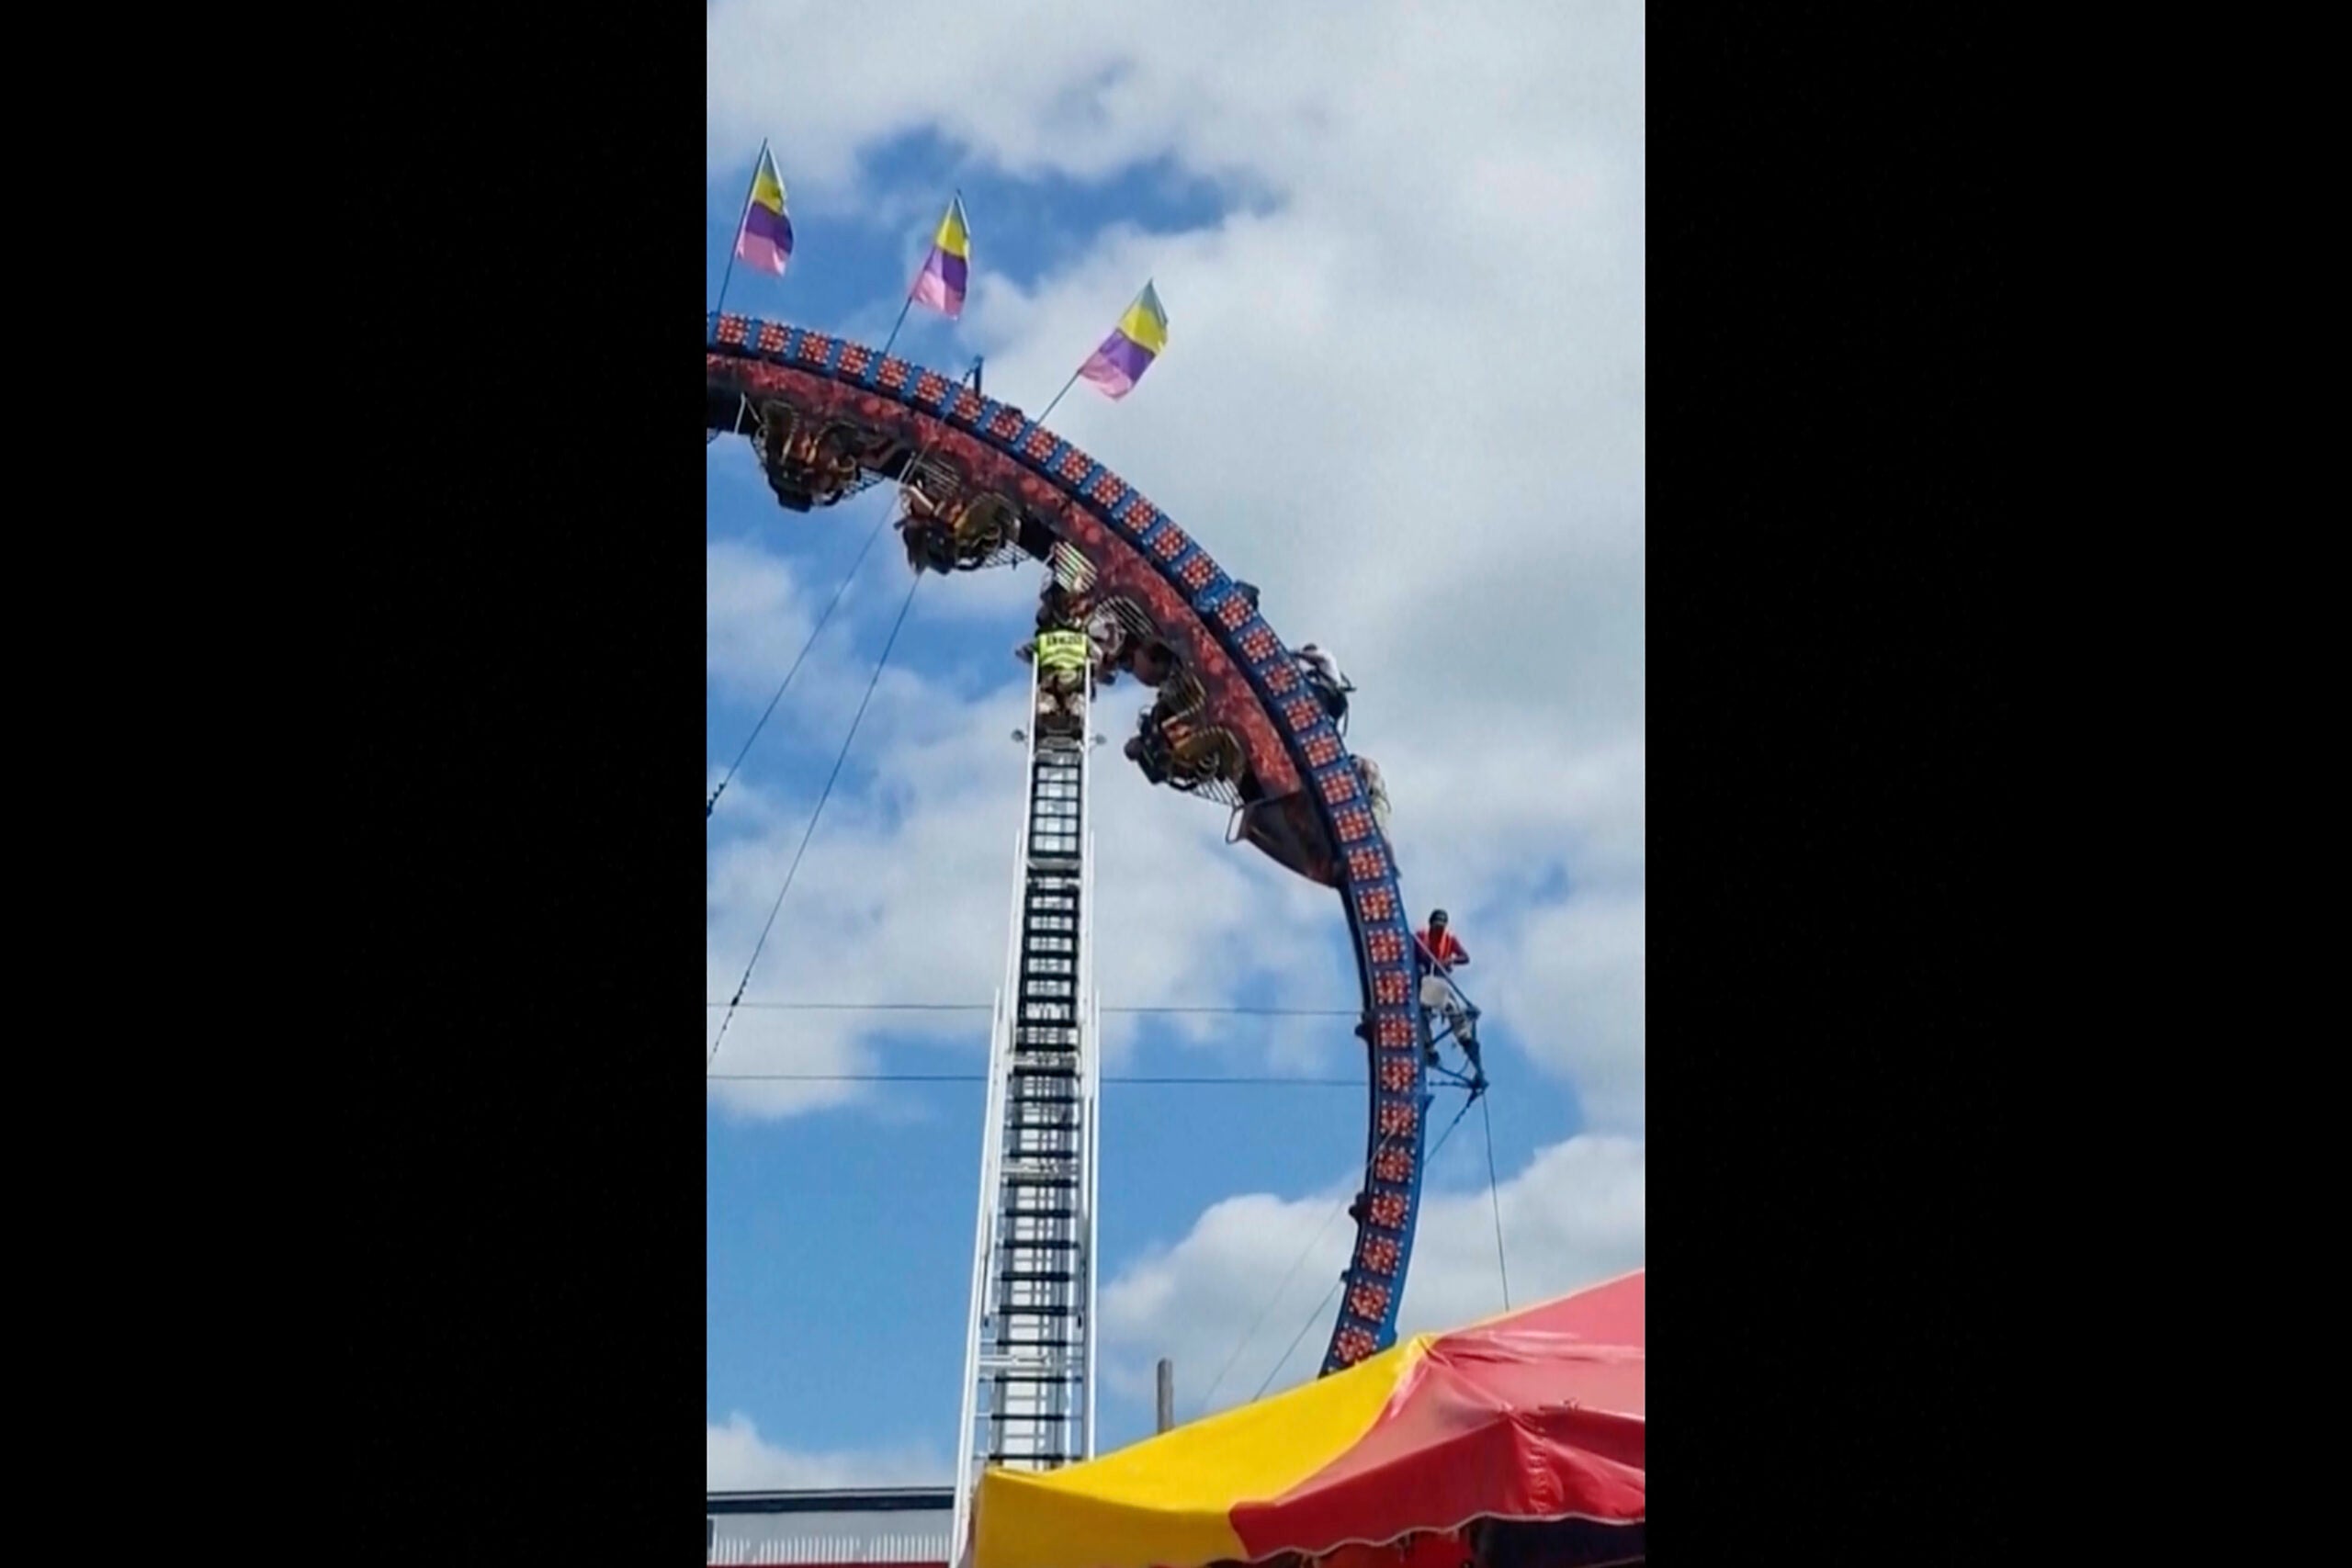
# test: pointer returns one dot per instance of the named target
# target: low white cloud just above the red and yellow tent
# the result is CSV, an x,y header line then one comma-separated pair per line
x,y
1572,1217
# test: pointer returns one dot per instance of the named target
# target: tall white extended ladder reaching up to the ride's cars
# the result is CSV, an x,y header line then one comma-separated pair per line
x,y
1029,1351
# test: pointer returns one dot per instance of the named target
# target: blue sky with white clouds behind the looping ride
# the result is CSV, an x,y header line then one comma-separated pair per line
x,y
1401,250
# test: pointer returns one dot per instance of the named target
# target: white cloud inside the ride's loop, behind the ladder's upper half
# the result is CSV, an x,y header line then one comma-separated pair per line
x,y
904,890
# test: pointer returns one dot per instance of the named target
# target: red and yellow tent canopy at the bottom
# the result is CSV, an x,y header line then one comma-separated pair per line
x,y
1537,1414
